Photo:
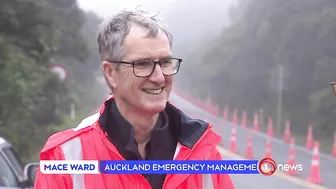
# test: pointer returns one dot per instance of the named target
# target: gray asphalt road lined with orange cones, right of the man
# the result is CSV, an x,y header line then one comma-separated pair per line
x,y
280,152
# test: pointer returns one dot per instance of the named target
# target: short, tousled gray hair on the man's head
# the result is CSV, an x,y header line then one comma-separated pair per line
x,y
112,32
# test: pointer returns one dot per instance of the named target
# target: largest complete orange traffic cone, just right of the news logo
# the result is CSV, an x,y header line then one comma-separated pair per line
x,y
315,176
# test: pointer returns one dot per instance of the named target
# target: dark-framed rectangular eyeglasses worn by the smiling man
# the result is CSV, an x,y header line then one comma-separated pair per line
x,y
145,68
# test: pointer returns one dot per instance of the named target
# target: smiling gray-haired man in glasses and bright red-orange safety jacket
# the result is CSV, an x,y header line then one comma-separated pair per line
x,y
137,122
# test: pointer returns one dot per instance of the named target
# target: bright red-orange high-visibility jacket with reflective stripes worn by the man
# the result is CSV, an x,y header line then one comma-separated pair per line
x,y
88,142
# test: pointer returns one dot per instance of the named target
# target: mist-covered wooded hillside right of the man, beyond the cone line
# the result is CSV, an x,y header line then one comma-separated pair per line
x,y
240,67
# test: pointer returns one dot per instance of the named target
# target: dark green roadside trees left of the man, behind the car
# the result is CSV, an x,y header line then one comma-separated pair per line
x,y
35,34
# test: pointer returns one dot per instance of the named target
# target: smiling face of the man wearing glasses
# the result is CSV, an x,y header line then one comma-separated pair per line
x,y
145,94
